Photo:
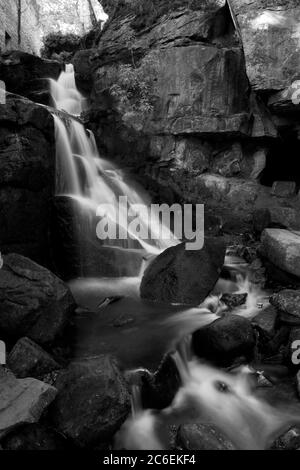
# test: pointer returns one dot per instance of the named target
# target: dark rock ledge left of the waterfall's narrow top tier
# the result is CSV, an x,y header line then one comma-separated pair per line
x,y
23,73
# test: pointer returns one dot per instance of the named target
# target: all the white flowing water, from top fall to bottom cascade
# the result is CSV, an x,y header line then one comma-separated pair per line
x,y
226,400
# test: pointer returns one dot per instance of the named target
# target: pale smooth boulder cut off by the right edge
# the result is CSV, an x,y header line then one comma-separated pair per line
x,y
282,248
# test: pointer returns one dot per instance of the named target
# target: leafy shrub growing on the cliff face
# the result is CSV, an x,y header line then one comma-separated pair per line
x,y
133,86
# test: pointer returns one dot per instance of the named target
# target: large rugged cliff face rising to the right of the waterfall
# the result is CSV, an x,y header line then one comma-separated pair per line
x,y
212,132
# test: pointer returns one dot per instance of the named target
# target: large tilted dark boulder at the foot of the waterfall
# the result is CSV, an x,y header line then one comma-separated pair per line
x,y
182,276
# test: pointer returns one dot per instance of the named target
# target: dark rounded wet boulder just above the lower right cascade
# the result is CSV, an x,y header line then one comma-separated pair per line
x,y
226,339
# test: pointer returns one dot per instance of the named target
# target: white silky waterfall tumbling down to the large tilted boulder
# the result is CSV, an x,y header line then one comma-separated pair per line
x,y
91,181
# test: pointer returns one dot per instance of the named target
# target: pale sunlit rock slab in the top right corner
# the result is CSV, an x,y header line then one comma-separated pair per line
x,y
270,34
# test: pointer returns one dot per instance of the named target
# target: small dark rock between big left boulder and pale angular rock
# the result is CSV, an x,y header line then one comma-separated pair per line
x,y
27,359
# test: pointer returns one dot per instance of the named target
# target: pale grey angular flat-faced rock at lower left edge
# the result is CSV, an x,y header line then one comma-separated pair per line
x,y
22,401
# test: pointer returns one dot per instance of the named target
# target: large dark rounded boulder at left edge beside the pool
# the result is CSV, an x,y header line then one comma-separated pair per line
x,y
33,301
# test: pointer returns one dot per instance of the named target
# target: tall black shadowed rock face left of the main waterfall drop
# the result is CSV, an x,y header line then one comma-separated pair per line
x,y
27,162
